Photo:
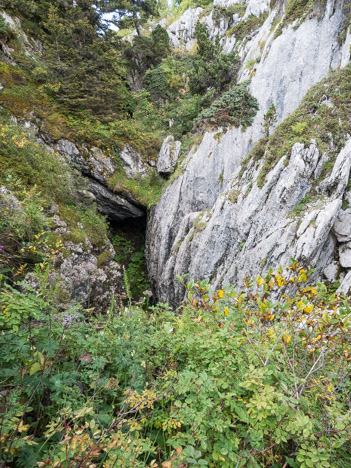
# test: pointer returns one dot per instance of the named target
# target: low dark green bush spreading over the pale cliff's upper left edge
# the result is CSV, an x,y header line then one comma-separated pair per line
x,y
235,107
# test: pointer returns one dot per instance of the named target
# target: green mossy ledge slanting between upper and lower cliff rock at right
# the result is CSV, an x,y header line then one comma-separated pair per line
x,y
324,115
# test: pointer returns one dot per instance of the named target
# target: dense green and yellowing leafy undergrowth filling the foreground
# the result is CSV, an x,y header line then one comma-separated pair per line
x,y
234,379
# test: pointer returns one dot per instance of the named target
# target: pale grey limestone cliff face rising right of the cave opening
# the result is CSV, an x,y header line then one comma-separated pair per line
x,y
199,229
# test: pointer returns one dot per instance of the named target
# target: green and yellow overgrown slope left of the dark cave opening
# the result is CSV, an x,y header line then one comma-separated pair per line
x,y
38,184
